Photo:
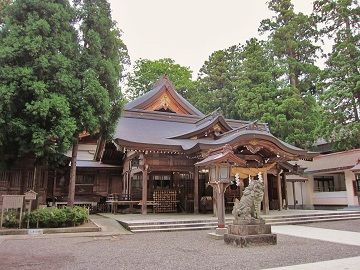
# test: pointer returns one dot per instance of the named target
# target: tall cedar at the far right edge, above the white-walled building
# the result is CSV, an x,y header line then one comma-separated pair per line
x,y
340,90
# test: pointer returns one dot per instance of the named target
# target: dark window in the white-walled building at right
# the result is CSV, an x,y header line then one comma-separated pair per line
x,y
329,183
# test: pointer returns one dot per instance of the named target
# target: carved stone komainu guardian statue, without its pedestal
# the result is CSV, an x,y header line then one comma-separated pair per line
x,y
249,205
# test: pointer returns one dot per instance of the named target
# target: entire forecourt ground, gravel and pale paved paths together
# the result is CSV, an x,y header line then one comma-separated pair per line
x,y
111,249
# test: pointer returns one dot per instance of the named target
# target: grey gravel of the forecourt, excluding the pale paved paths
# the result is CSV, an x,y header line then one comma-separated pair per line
x,y
174,250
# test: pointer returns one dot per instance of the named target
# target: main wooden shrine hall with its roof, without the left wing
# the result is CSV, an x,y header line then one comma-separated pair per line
x,y
162,136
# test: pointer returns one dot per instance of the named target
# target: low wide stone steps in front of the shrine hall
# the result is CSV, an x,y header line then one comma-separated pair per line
x,y
167,223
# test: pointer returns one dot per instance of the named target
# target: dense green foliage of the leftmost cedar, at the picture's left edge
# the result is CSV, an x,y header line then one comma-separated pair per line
x,y
38,63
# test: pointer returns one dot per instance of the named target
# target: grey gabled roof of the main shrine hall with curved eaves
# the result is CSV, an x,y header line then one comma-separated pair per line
x,y
140,128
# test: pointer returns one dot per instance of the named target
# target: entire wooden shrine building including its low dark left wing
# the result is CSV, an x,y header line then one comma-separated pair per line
x,y
150,162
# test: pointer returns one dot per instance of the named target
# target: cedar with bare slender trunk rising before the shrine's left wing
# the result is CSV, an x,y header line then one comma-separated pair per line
x,y
103,55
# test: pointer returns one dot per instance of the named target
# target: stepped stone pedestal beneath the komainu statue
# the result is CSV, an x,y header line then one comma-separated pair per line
x,y
254,232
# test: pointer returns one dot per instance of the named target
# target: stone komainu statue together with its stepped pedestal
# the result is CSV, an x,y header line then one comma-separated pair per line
x,y
248,227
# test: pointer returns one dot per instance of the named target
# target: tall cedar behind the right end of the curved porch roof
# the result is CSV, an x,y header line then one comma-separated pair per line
x,y
292,37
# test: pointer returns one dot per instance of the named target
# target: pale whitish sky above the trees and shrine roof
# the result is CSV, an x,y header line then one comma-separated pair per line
x,y
188,31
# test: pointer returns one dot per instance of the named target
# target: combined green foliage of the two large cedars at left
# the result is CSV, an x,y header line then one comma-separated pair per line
x,y
53,84
